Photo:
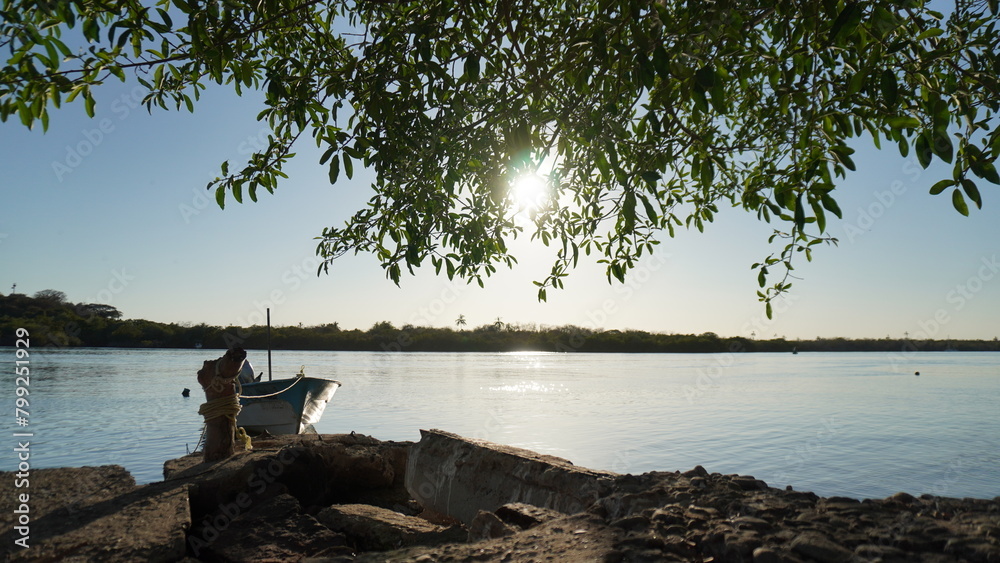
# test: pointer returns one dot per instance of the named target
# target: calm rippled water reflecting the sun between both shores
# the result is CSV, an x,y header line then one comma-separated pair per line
x,y
851,424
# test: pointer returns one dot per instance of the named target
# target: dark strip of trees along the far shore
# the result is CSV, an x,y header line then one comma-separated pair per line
x,y
54,322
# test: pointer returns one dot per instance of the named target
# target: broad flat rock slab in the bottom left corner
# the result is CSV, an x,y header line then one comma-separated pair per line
x,y
95,513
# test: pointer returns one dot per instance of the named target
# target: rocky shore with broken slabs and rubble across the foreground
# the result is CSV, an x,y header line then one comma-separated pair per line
x,y
352,498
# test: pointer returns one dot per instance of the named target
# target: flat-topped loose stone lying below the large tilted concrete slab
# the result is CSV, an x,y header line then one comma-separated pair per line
x,y
371,528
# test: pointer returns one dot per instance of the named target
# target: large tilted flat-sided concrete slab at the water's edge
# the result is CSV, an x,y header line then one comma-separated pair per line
x,y
460,476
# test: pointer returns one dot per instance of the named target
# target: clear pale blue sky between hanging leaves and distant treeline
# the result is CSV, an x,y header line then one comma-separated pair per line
x,y
113,210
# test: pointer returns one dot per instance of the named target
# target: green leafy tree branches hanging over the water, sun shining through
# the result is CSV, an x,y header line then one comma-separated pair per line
x,y
642,115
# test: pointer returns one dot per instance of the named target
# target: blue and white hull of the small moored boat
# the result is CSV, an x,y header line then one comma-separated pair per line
x,y
284,406
